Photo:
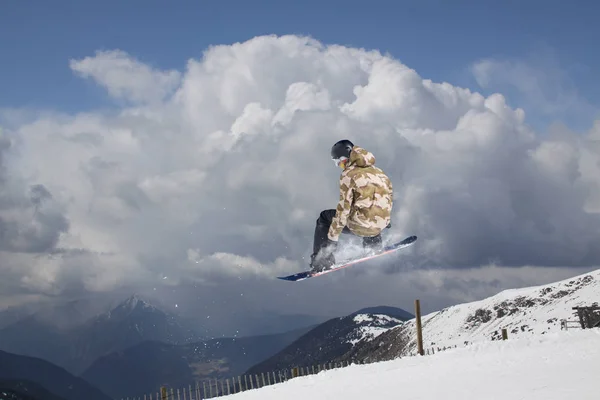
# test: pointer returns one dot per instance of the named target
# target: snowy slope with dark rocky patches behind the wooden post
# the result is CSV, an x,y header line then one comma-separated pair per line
x,y
527,311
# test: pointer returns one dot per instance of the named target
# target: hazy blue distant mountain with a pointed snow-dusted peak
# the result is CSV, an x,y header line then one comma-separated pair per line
x,y
75,348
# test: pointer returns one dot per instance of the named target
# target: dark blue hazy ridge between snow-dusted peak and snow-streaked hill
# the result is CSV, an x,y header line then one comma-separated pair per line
x,y
140,369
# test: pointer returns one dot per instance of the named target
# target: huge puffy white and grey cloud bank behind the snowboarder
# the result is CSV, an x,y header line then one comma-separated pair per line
x,y
223,175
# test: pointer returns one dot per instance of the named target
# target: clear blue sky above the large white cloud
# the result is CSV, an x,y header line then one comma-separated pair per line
x,y
440,39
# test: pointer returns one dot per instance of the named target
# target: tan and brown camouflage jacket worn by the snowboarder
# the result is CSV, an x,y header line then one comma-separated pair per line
x,y
366,197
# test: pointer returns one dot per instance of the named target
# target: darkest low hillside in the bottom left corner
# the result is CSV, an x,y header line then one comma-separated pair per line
x,y
29,377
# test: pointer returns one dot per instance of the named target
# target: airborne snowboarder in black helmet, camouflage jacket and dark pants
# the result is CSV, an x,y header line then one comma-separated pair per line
x,y
364,208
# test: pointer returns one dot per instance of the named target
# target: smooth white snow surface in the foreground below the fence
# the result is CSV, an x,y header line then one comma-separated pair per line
x,y
554,366
